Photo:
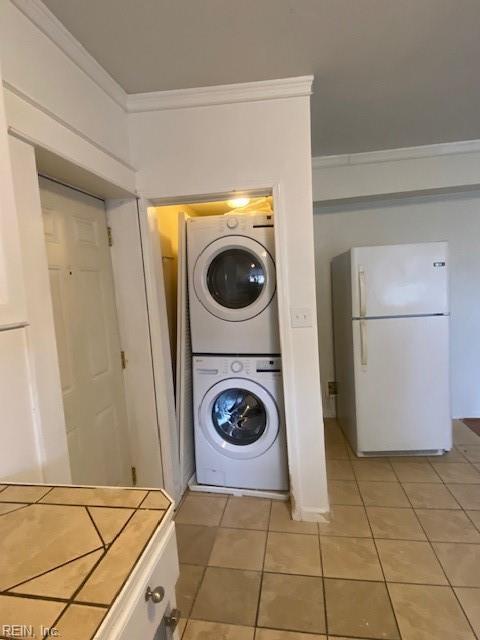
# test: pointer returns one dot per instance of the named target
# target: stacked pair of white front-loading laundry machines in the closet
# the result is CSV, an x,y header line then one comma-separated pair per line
x,y
239,424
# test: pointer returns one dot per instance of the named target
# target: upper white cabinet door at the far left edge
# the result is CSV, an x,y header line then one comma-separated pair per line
x,y
12,299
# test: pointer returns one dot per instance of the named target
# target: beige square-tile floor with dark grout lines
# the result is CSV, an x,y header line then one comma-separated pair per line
x,y
400,558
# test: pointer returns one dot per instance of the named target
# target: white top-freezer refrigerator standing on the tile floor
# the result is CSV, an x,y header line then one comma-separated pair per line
x,y
391,338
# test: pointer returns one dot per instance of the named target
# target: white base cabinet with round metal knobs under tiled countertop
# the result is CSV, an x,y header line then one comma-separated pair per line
x,y
146,605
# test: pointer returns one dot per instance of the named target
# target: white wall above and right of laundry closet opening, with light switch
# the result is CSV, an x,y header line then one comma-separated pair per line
x,y
249,145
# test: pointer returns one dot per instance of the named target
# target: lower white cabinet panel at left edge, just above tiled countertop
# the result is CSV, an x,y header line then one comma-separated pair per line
x,y
19,458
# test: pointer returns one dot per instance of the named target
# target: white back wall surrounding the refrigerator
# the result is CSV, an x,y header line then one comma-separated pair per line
x,y
455,218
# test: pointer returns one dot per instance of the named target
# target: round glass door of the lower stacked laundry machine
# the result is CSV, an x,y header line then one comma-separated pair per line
x,y
239,418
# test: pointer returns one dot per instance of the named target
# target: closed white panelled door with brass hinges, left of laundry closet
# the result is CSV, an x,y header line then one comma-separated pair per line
x,y
87,335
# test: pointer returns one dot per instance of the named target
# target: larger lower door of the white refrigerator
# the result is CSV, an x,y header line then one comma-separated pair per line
x,y
402,384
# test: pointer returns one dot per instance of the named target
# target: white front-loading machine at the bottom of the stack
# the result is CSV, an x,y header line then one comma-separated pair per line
x,y
239,422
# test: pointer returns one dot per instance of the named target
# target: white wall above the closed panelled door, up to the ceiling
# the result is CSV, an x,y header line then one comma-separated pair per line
x,y
54,103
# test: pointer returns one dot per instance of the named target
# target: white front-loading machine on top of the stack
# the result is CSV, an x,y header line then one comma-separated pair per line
x,y
232,284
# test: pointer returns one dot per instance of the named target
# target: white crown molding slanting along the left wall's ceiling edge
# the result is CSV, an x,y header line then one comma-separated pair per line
x,y
50,26
